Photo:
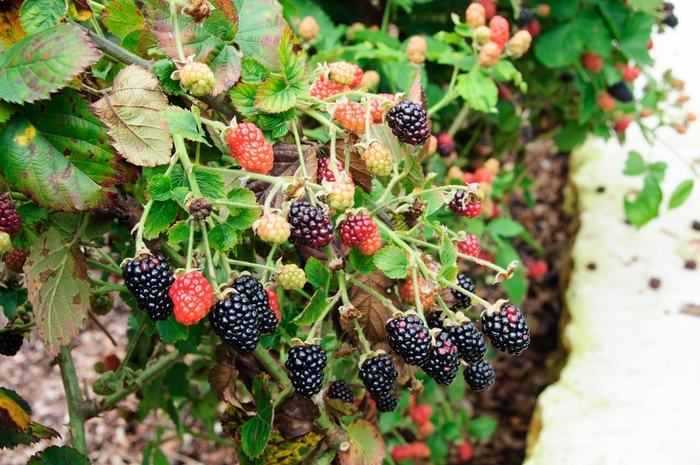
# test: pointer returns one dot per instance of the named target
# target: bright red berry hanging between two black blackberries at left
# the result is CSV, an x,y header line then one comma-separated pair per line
x,y
192,295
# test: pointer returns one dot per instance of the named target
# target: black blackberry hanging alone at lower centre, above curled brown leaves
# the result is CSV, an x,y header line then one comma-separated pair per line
x,y
305,366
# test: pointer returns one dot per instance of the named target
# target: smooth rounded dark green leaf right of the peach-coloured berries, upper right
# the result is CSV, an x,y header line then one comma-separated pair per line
x,y
549,50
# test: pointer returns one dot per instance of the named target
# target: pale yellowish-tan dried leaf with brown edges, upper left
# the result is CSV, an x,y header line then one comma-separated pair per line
x,y
133,114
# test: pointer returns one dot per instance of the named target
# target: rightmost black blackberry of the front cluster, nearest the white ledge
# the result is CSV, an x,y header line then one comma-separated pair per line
x,y
506,328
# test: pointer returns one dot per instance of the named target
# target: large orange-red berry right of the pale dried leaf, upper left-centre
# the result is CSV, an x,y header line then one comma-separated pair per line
x,y
248,145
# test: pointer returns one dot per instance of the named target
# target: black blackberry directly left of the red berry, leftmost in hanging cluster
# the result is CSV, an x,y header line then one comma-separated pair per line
x,y
149,280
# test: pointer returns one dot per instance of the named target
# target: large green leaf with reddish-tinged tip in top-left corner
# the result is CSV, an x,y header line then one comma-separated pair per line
x,y
36,66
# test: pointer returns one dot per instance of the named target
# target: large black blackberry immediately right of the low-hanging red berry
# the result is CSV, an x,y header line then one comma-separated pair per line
x,y
235,321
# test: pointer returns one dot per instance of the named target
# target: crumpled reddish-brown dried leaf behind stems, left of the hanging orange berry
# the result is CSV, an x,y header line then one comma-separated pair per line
x,y
373,313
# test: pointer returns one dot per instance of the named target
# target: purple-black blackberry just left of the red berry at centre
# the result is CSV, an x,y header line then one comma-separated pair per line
x,y
309,225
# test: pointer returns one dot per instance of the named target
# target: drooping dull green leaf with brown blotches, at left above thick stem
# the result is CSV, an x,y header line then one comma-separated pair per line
x,y
58,288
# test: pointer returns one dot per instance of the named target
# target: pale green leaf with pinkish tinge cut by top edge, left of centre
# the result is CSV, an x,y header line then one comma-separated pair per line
x,y
261,24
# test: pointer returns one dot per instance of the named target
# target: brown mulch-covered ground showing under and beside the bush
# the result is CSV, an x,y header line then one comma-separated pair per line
x,y
512,399
